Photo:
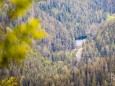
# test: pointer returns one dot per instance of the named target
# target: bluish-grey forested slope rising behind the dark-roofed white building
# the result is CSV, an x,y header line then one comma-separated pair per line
x,y
67,19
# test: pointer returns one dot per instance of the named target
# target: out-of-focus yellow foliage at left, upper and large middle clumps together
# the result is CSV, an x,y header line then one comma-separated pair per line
x,y
15,43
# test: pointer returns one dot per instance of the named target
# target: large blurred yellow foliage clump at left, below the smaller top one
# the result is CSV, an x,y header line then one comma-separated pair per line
x,y
15,45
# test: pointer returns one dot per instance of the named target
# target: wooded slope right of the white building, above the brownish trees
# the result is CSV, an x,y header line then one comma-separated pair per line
x,y
103,43
